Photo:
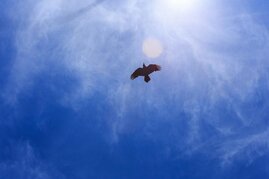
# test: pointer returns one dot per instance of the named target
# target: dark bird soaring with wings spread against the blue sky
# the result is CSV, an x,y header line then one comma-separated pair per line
x,y
145,71
